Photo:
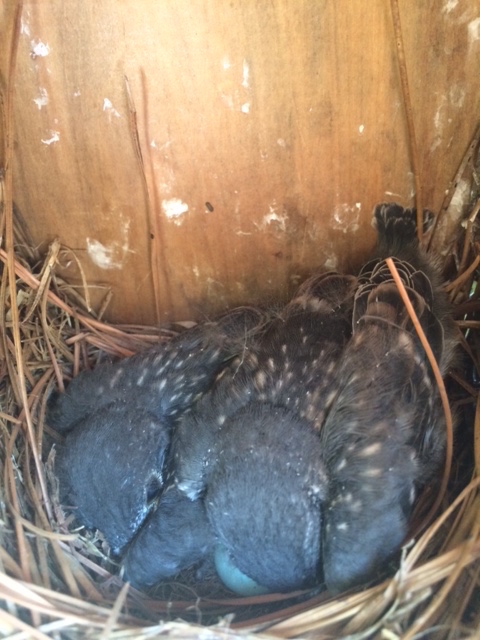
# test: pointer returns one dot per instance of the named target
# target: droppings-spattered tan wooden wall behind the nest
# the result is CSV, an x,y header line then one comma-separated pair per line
x,y
267,132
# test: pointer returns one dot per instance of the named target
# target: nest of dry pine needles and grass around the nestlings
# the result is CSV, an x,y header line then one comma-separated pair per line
x,y
59,583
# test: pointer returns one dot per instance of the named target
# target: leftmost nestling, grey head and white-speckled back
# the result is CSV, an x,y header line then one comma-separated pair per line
x,y
118,421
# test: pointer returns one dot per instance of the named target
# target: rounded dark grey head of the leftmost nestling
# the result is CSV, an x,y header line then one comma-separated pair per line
x,y
110,469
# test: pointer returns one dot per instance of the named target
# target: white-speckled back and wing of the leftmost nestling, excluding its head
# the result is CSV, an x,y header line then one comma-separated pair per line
x,y
165,378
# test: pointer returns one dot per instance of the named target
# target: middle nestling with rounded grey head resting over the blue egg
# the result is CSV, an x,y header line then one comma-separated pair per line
x,y
250,455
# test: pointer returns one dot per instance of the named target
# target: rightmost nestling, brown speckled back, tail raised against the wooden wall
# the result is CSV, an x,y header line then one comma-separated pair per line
x,y
384,437
